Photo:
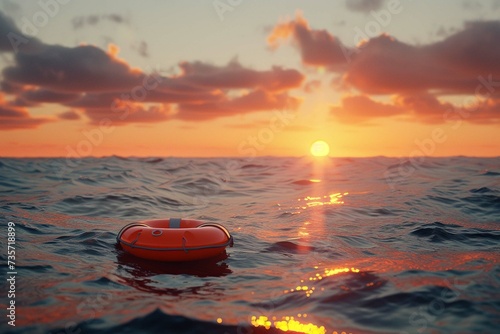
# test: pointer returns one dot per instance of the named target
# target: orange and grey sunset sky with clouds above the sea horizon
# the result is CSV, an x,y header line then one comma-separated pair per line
x,y
244,78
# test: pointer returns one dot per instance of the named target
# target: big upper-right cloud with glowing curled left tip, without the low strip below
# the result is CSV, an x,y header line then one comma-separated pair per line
x,y
384,65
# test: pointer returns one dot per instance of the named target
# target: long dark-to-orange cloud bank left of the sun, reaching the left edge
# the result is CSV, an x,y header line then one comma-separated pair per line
x,y
103,86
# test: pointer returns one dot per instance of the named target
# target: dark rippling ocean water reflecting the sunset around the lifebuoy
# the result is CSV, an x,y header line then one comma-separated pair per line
x,y
372,245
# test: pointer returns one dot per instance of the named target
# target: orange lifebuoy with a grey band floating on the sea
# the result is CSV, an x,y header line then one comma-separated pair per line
x,y
174,239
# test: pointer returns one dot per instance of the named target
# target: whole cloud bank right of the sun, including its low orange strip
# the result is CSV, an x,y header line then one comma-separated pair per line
x,y
466,63
